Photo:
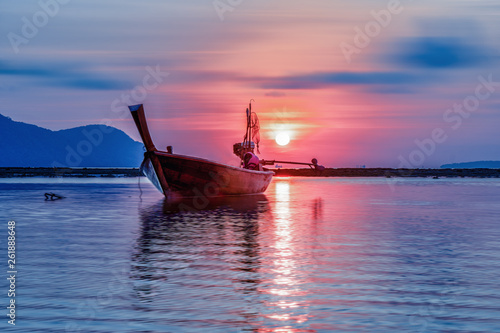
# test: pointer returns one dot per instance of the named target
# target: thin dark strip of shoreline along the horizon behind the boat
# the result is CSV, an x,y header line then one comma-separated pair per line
x,y
330,172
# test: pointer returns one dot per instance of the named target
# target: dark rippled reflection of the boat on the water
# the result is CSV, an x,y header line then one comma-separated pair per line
x,y
212,249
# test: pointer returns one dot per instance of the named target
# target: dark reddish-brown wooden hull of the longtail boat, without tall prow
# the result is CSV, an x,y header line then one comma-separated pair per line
x,y
192,176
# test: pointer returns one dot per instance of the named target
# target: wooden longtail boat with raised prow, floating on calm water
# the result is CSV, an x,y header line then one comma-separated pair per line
x,y
174,174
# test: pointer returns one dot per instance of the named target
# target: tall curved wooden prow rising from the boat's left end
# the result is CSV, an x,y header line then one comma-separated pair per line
x,y
137,112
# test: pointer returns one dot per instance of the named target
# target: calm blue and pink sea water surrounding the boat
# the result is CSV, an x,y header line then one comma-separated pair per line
x,y
311,255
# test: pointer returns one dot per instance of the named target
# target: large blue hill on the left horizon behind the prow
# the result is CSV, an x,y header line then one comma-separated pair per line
x,y
25,145
